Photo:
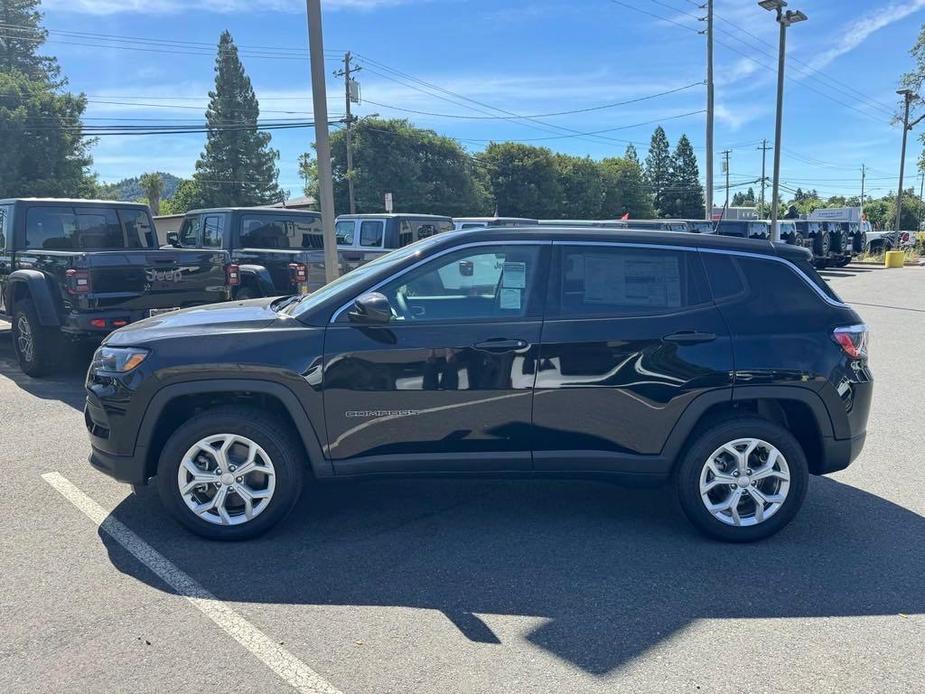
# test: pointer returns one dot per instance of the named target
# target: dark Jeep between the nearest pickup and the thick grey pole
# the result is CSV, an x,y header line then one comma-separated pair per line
x,y
277,251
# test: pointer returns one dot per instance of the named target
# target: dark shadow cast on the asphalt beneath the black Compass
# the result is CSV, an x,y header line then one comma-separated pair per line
x,y
611,572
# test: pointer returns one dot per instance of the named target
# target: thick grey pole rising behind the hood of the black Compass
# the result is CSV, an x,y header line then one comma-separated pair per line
x,y
322,139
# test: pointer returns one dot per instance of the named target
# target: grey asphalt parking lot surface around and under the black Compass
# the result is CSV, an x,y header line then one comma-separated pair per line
x,y
470,586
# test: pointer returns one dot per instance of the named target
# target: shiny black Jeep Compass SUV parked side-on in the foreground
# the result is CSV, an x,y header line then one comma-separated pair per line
x,y
725,364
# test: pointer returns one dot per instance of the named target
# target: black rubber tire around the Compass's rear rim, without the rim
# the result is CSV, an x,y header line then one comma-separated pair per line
x,y
687,478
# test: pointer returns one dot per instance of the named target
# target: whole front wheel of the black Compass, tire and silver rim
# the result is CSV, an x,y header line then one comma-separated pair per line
x,y
230,473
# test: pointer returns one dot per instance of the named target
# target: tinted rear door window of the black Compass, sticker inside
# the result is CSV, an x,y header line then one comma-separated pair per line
x,y
622,281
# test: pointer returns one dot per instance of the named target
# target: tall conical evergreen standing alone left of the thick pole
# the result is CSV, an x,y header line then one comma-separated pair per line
x,y
237,167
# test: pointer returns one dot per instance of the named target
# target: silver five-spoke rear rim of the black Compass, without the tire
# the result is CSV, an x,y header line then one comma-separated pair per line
x,y
744,482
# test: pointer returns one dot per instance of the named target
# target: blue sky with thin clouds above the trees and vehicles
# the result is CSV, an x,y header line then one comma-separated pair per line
x,y
527,57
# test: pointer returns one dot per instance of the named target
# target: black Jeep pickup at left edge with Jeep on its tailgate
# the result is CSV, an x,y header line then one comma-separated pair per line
x,y
74,270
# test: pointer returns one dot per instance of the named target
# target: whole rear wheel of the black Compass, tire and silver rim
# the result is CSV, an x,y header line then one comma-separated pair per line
x,y
743,481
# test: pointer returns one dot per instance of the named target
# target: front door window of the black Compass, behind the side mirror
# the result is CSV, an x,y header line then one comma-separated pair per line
x,y
490,282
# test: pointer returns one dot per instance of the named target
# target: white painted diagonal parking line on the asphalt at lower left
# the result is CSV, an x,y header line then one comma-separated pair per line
x,y
296,673
